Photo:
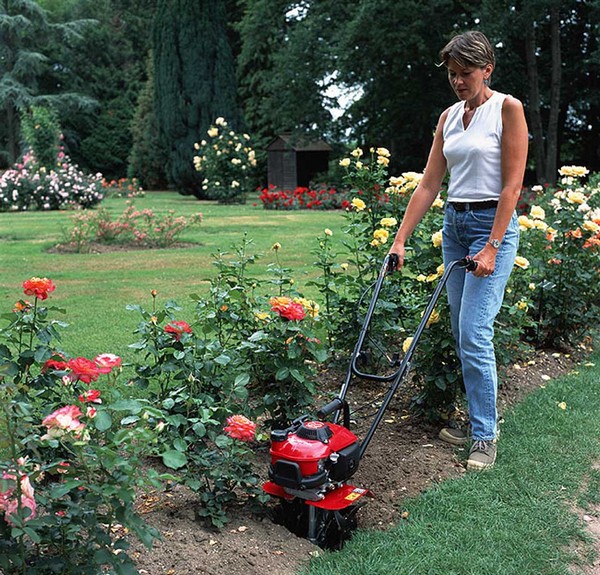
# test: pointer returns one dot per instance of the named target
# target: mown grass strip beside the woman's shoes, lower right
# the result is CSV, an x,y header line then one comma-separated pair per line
x,y
519,518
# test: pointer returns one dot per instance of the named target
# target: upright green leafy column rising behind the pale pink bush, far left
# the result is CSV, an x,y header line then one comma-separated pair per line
x,y
41,133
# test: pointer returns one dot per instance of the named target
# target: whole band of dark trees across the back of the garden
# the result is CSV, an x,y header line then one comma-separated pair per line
x,y
363,72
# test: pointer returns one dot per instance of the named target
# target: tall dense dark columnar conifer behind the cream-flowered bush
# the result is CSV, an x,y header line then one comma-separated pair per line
x,y
194,81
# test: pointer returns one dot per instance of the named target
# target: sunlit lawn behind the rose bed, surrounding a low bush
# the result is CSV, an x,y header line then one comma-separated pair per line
x,y
95,288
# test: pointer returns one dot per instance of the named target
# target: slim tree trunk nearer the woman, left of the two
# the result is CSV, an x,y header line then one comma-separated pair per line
x,y
535,115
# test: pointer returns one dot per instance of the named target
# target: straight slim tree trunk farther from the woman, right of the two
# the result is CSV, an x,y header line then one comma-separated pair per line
x,y
552,132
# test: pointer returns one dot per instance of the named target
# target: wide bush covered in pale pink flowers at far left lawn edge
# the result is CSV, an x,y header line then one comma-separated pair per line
x,y
32,186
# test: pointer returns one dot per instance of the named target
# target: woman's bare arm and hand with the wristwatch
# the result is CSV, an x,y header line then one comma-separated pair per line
x,y
514,158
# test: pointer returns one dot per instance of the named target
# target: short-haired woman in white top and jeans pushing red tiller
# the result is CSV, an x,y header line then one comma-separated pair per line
x,y
482,142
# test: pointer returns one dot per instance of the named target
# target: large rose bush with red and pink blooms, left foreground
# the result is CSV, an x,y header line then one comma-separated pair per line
x,y
71,454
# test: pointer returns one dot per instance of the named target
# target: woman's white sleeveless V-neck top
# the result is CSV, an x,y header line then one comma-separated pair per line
x,y
473,155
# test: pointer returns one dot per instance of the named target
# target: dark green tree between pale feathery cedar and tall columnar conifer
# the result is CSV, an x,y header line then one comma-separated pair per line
x,y
107,64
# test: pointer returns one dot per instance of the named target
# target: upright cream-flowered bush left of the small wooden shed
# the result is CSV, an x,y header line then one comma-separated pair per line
x,y
227,161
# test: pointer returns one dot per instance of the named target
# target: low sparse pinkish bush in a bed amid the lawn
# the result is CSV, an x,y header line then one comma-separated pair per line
x,y
144,228
